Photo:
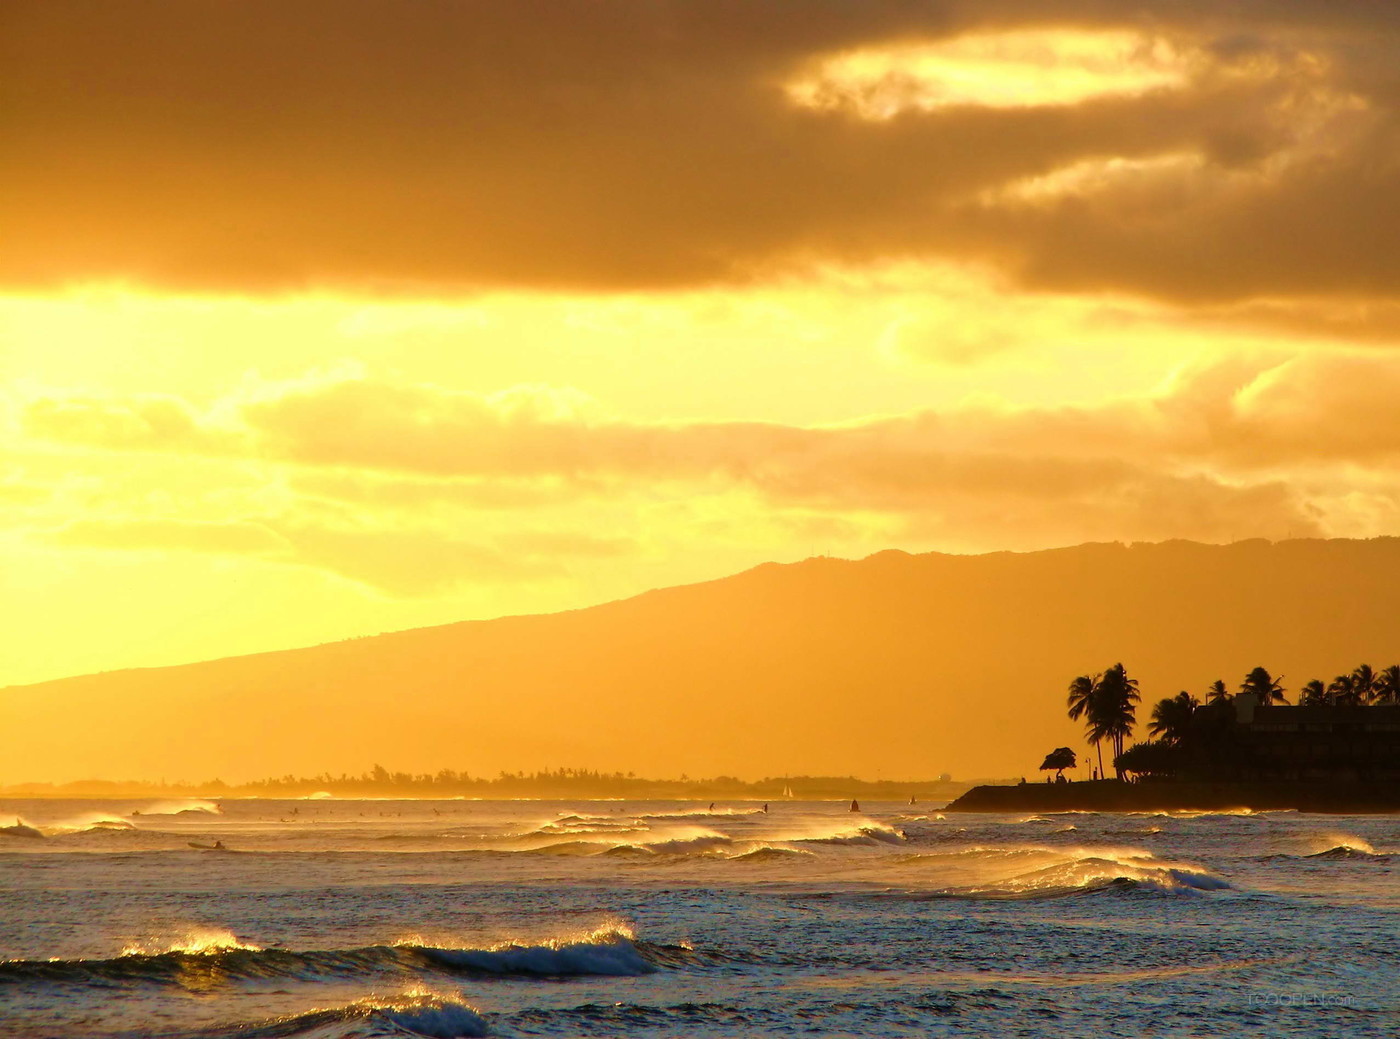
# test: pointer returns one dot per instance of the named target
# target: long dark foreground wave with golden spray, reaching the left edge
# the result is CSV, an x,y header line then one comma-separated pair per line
x,y
610,953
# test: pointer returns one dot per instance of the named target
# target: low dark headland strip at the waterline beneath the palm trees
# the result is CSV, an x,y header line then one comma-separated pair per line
x,y
1114,796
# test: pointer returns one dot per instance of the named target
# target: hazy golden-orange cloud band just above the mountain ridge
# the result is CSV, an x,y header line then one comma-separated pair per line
x,y
415,488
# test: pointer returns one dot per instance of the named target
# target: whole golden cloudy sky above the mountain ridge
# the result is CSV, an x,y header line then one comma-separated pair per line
x,y
325,319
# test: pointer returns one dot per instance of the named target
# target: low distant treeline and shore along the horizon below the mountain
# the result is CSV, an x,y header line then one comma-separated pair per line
x,y
561,783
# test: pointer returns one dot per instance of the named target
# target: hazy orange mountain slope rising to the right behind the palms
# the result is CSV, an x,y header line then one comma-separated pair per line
x,y
891,666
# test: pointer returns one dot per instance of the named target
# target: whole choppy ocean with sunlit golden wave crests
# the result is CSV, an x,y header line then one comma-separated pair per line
x,y
327,919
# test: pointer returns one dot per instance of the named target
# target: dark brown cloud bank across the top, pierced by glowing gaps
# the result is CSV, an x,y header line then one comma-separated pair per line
x,y
254,146
